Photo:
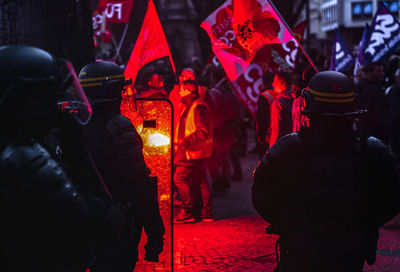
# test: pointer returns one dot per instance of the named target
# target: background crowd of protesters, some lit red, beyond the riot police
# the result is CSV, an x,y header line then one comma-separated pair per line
x,y
221,120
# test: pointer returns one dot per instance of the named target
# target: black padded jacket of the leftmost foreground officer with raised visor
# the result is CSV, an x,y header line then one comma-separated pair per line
x,y
44,218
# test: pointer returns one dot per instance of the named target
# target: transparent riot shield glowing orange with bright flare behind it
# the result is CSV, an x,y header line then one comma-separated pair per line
x,y
153,119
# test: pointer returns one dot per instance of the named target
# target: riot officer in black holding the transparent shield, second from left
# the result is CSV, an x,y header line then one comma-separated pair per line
x,y
116,149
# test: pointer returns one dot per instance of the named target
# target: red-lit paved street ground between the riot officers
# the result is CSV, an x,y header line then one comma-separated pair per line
x,y
237,240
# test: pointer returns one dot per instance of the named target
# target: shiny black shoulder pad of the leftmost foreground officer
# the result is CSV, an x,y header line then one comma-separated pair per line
x,y
19,158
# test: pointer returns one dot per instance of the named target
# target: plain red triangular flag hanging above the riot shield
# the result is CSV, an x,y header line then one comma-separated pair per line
x,y
151,44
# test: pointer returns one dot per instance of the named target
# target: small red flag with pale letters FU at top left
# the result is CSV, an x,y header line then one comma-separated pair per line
x,y
116,11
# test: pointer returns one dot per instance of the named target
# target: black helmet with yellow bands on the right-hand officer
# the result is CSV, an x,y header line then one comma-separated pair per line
x,y
329,93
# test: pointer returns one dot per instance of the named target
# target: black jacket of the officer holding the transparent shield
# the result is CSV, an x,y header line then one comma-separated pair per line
x,y
116,149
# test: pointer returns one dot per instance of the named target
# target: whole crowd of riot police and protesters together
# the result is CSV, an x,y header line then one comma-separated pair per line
x,y
76,191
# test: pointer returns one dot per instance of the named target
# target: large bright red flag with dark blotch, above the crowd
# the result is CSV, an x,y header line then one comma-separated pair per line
x,y
239,29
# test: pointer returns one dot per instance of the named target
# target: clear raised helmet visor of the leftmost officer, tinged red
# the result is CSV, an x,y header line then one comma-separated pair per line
x,y
73,99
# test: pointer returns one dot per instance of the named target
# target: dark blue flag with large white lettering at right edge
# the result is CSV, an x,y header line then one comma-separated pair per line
x,y
384,36
